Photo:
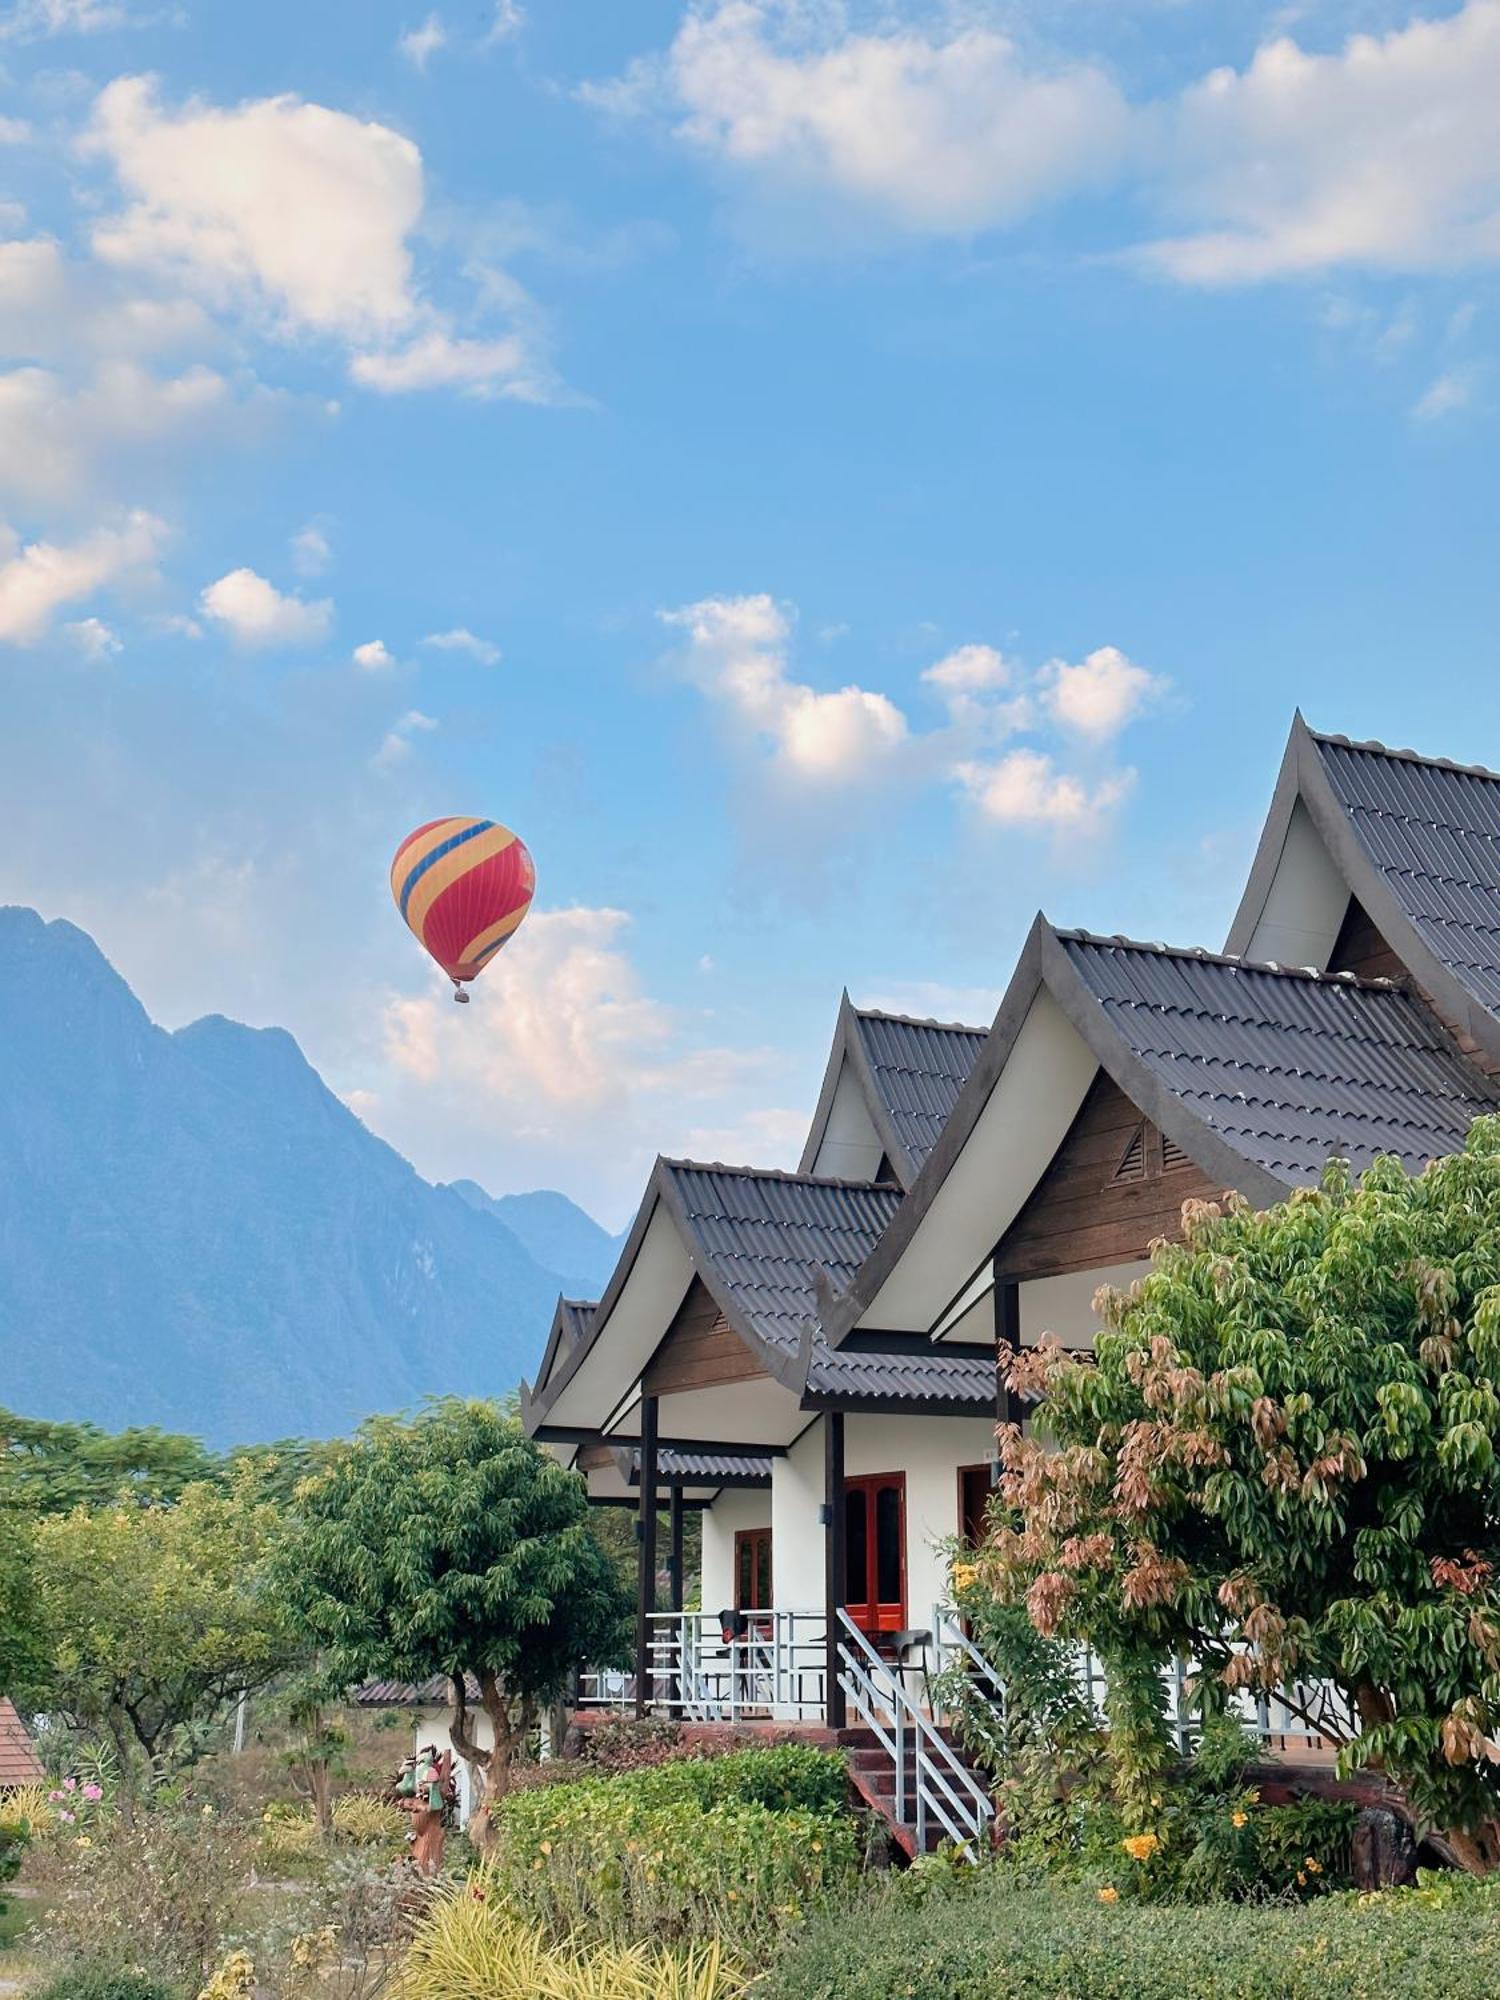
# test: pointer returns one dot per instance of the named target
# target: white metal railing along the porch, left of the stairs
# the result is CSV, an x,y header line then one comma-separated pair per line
x,y
707,1671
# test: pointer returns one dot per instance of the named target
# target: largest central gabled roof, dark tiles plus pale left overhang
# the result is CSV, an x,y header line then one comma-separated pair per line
x,y
1257,1073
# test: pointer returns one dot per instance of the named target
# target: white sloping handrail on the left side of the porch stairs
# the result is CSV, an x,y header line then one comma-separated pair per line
x,y
933,1785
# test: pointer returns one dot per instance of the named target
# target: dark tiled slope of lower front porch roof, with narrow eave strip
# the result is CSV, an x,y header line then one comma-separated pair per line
x,y
763,1241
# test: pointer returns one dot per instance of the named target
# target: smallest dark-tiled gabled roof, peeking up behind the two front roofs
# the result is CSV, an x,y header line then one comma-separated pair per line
x,y
907,1075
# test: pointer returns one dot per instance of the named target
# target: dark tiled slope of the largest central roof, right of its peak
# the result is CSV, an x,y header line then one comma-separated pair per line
x,y
1289,1067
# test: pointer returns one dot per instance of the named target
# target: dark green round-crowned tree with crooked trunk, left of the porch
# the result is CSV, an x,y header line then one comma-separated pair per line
x,y
451,1545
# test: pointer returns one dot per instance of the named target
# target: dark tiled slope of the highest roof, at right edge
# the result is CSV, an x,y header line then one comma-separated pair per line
x,y
1433,831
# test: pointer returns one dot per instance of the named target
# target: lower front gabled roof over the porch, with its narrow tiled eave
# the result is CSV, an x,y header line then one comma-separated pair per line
x,y
767,1245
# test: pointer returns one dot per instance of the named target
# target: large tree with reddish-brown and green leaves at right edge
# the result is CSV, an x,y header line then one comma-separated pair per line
x,y
1285,1465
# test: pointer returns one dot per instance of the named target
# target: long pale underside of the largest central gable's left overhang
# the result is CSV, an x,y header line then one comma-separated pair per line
x,y
1025,1121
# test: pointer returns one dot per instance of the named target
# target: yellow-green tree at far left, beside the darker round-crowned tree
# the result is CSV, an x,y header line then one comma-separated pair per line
x,y
157,1619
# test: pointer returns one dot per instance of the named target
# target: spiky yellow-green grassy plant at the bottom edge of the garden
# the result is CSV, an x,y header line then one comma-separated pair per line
x,y
467,1949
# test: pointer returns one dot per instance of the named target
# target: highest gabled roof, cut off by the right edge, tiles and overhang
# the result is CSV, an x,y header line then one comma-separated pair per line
x,y
1417,841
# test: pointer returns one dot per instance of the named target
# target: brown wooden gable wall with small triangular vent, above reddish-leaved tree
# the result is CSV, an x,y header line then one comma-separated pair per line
x,y
1115,1183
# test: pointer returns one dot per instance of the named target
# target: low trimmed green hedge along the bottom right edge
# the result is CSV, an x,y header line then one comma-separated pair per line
x,y
1009,1945
